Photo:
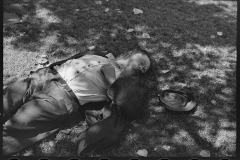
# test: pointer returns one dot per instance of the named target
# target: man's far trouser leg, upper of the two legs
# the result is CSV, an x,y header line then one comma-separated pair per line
x,y
18,93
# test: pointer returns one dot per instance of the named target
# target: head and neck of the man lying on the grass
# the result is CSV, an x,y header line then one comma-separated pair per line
x,y
135,62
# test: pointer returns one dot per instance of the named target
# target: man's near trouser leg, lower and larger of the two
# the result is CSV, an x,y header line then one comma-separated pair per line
x,y
46,112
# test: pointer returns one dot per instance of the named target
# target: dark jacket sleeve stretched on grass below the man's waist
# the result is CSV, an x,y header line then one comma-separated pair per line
x,y
103,133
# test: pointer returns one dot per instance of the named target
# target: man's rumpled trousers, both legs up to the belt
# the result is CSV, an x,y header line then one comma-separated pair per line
x,y
34,108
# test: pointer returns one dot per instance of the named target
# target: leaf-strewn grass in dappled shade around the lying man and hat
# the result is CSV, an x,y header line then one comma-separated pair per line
x,y
183,41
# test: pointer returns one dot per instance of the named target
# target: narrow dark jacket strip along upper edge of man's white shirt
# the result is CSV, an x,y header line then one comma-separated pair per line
x,y
79,55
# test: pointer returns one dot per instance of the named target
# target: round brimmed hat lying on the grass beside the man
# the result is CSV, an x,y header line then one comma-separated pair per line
x,y
176,100
